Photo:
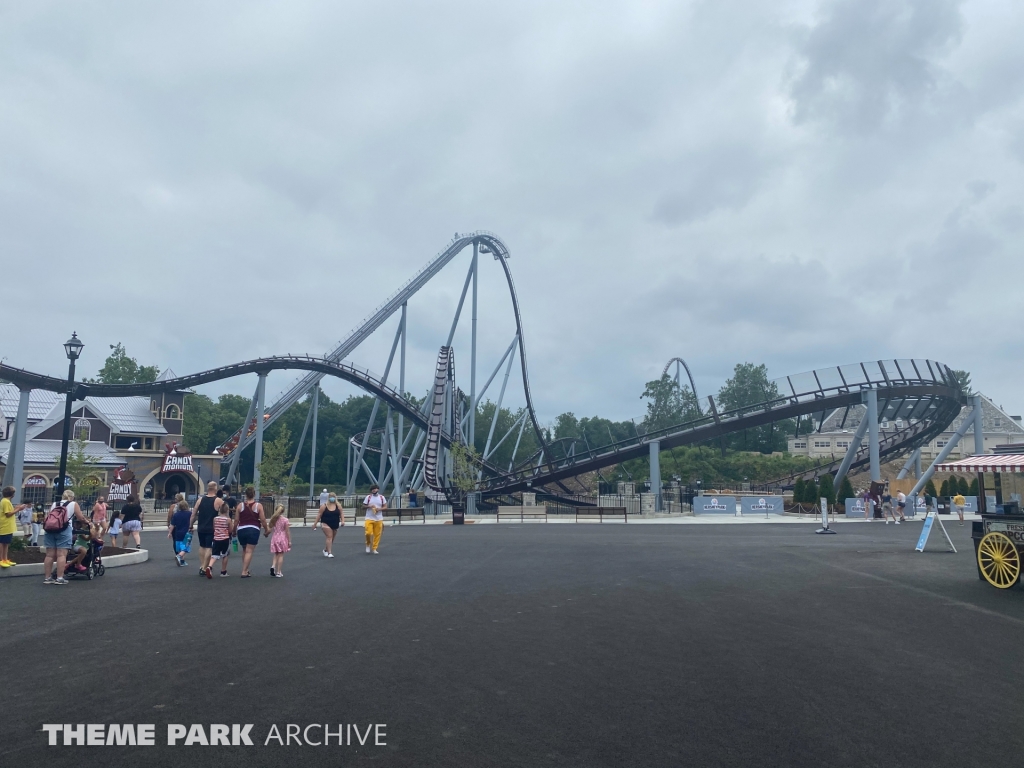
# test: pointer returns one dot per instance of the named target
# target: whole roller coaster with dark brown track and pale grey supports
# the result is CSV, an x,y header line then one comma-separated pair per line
x,y
413,446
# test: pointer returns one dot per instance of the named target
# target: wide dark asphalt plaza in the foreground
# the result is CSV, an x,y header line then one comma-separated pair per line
x,y
537,646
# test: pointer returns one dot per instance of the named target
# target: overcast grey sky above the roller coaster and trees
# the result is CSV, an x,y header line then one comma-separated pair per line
x,y
795,184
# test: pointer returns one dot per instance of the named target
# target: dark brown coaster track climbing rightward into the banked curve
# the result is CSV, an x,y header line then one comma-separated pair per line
x,y
926,395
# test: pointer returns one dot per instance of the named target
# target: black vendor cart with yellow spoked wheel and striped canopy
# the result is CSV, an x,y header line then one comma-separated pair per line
x,y
999,537
